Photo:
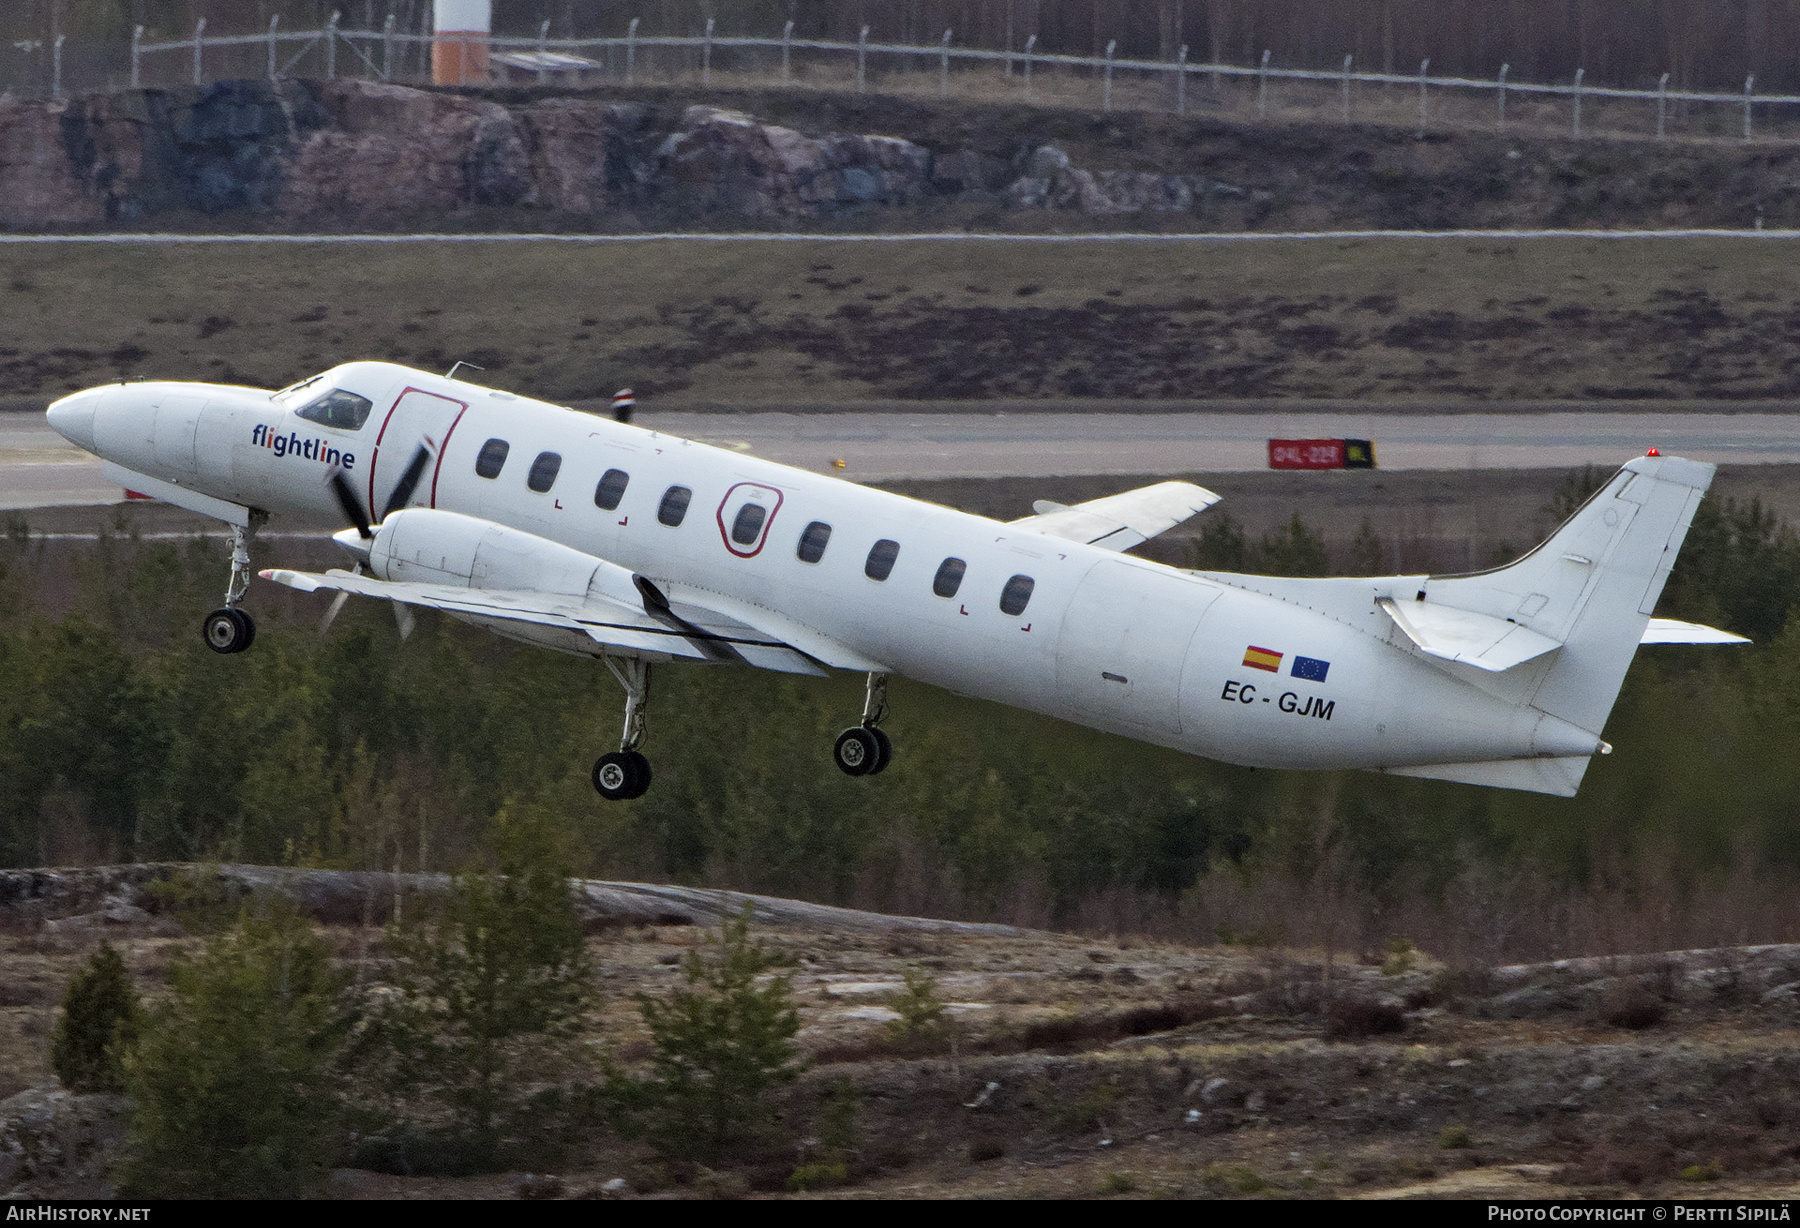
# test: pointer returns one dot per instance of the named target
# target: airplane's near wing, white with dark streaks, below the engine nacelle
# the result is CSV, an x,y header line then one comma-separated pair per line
x,y
660,629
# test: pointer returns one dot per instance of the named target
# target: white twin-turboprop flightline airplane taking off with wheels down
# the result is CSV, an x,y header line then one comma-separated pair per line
x,y
597,537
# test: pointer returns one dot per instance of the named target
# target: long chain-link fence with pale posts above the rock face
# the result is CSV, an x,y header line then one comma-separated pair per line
x,y
942,69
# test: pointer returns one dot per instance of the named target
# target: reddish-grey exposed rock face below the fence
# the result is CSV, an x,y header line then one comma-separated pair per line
x,y
386,156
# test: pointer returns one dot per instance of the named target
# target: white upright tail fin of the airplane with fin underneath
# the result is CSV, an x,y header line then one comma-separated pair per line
x,y
1592,590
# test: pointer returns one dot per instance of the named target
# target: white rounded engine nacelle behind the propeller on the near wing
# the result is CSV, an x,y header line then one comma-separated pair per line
x,y
431,546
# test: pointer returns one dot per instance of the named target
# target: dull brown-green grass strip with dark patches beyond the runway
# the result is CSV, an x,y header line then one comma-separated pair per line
x,y
1396,321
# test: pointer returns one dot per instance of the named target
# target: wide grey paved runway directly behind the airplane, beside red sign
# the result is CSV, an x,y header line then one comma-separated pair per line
x,y
39,469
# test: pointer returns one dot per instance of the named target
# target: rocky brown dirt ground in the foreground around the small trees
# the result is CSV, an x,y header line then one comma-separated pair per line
x,y
1126,1069
